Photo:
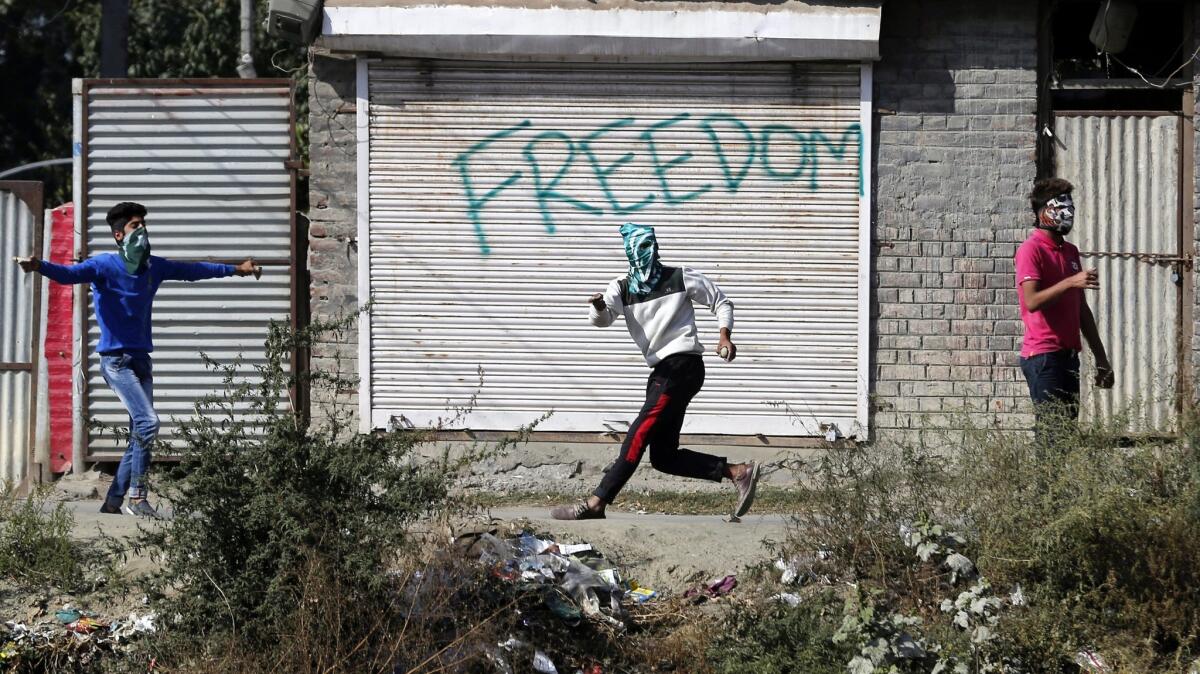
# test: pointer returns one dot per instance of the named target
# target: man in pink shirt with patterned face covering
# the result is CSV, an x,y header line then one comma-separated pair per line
x,y
1052,284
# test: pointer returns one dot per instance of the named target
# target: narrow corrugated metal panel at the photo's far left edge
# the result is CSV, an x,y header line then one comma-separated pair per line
x,y
16,332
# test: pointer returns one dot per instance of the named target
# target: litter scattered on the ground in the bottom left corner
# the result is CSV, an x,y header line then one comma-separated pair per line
x,y
71,636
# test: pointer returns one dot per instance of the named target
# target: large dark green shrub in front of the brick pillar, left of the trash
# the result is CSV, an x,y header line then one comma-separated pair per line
x,y
289,533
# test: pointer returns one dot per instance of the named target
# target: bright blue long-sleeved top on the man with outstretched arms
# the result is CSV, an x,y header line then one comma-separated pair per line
x,y
124,300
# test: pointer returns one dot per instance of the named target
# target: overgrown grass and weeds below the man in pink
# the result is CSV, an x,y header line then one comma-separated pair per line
x,y
977,550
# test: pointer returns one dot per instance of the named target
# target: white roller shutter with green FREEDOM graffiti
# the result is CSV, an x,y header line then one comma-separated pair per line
x,y
496,194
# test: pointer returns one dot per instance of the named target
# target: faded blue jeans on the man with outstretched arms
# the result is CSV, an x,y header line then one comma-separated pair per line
x,y
131,377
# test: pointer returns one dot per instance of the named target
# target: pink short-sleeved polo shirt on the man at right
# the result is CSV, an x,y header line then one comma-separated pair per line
x,y
1054,327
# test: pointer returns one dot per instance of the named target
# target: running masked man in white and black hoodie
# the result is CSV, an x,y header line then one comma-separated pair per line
x,y
657,303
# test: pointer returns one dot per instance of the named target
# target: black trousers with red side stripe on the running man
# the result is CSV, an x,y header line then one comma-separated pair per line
x,y
674,383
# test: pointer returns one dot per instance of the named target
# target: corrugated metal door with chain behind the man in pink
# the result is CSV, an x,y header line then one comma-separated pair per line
x,y
1126,171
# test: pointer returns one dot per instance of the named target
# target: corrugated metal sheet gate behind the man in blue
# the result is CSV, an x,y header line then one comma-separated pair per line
x,y
209,164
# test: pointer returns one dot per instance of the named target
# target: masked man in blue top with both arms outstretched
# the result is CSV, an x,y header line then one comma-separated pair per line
x,y
123,288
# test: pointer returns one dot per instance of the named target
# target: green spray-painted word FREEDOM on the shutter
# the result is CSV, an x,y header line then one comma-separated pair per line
x,y
778,153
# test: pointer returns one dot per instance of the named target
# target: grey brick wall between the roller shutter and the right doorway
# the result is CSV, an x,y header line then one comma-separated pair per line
x,y
956,95
